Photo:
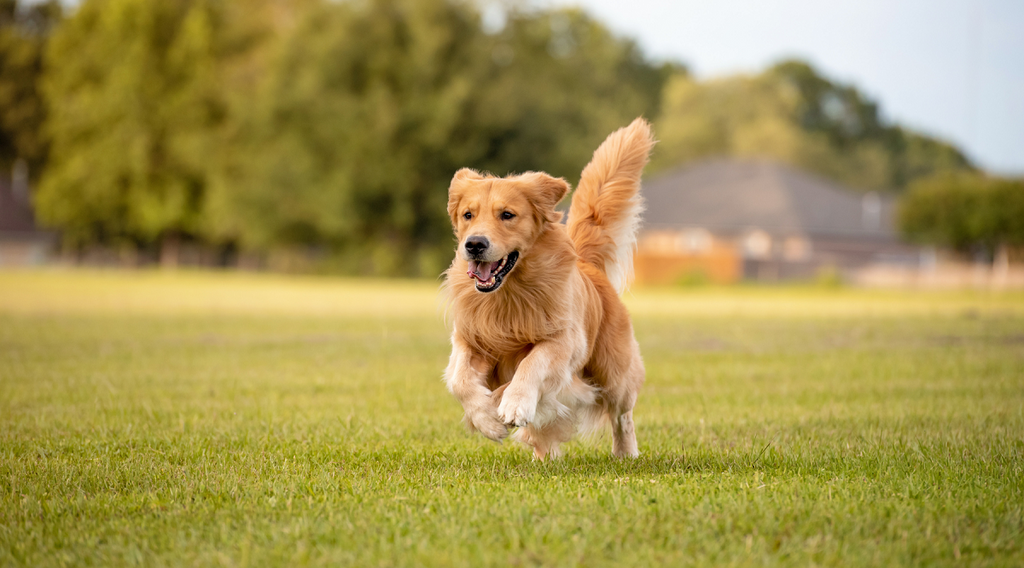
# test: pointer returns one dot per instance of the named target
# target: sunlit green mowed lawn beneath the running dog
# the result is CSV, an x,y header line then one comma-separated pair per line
x,y
200,419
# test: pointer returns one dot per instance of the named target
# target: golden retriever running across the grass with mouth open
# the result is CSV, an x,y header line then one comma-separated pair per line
x,y
541,340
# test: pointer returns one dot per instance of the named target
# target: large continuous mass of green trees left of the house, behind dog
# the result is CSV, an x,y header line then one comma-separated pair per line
x,y
334,125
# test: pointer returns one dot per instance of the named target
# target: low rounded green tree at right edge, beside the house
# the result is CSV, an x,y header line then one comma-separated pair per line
x,y
969,213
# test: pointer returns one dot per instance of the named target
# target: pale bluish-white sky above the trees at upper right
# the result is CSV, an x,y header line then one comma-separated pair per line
x,y
953,69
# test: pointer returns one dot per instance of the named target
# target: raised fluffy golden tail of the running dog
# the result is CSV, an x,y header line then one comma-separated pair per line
x,y
606,211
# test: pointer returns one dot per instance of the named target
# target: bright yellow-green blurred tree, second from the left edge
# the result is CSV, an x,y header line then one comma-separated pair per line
x,y
136,104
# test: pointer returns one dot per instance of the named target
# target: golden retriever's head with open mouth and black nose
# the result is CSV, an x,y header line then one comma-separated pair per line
x,y
497,221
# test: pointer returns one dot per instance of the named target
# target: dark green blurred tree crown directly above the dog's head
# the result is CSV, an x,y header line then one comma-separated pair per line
x,y
557,84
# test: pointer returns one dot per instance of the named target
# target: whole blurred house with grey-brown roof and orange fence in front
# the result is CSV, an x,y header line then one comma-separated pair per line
x,y
726,221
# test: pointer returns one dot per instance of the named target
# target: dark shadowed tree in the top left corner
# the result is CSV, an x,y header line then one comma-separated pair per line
x,y
24,30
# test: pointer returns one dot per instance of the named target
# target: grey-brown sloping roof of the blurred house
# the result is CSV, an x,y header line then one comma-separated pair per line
x,y
734,196
